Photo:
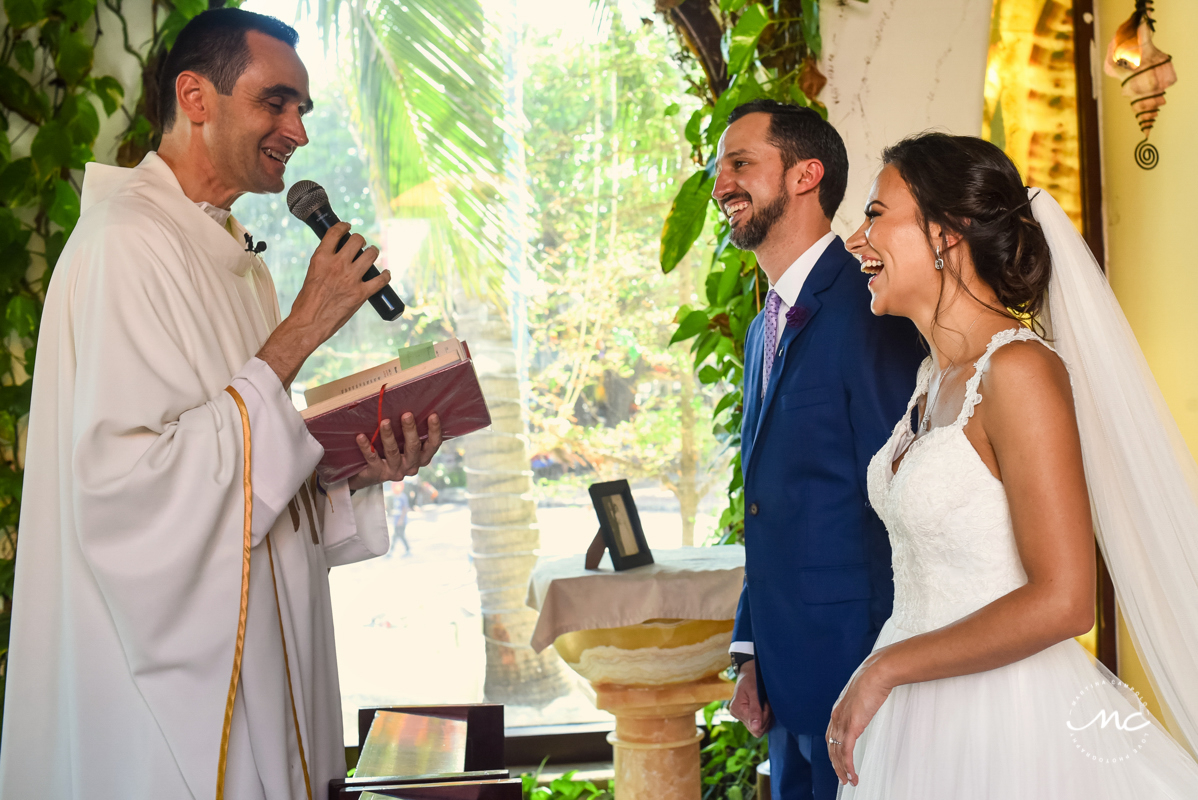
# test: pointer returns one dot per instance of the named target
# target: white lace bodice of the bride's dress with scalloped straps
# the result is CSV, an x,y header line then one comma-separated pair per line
x,y
947,516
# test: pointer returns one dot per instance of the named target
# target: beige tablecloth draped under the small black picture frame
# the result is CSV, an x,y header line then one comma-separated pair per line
x,y
683,584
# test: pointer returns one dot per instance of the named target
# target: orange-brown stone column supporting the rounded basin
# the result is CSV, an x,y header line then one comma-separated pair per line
x,y
656,743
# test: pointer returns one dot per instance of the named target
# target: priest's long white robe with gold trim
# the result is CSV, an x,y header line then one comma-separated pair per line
x,y
130,559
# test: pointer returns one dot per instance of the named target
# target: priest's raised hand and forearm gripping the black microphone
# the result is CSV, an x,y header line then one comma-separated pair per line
x,y
332,292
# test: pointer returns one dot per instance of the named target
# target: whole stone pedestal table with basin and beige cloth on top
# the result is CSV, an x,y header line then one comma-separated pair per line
x,y
652,676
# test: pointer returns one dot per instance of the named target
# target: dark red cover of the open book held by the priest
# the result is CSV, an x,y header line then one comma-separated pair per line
x,y
452,393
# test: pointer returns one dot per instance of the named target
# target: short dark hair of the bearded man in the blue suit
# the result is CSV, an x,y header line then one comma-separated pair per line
x,y
800,135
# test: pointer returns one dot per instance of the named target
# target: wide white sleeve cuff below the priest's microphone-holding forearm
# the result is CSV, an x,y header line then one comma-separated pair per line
x,y
283,453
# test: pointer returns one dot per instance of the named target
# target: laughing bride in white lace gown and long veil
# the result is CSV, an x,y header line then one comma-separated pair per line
x,y
1036,426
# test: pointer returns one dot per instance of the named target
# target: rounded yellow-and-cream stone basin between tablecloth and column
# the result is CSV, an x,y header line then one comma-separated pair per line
x,y
654,653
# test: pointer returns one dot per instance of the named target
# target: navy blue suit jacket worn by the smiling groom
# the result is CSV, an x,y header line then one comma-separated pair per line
x,y
819,584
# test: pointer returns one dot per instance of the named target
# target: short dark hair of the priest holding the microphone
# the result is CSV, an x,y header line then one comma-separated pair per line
x,y
214,45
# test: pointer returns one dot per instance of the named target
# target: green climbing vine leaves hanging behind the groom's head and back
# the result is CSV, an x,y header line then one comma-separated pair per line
x,y
770,50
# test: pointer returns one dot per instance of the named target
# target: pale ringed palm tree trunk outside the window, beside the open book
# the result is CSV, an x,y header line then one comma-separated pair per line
x,y
504,522
